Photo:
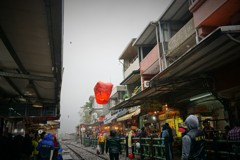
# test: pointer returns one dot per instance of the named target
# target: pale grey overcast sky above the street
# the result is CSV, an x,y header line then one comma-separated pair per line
x,y
96,32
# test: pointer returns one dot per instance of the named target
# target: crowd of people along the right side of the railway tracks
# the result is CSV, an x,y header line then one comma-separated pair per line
x,y
193,141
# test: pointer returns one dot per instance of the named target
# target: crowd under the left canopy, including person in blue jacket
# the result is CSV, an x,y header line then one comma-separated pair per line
x,y
35,145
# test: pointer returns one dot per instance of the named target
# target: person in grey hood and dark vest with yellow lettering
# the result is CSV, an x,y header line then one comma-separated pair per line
x,y
193,143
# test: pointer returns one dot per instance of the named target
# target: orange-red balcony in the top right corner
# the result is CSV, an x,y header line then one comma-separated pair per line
x,y
208,15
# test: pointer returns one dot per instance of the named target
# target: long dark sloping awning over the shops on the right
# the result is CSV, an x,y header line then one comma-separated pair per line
x,y
217,49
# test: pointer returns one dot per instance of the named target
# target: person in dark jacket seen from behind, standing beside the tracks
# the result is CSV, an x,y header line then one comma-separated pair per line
x,y
113,146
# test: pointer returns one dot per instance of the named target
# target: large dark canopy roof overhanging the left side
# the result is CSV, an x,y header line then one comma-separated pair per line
x,y
31,53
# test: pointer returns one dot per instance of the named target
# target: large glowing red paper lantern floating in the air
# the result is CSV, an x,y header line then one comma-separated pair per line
x,y
102,92
